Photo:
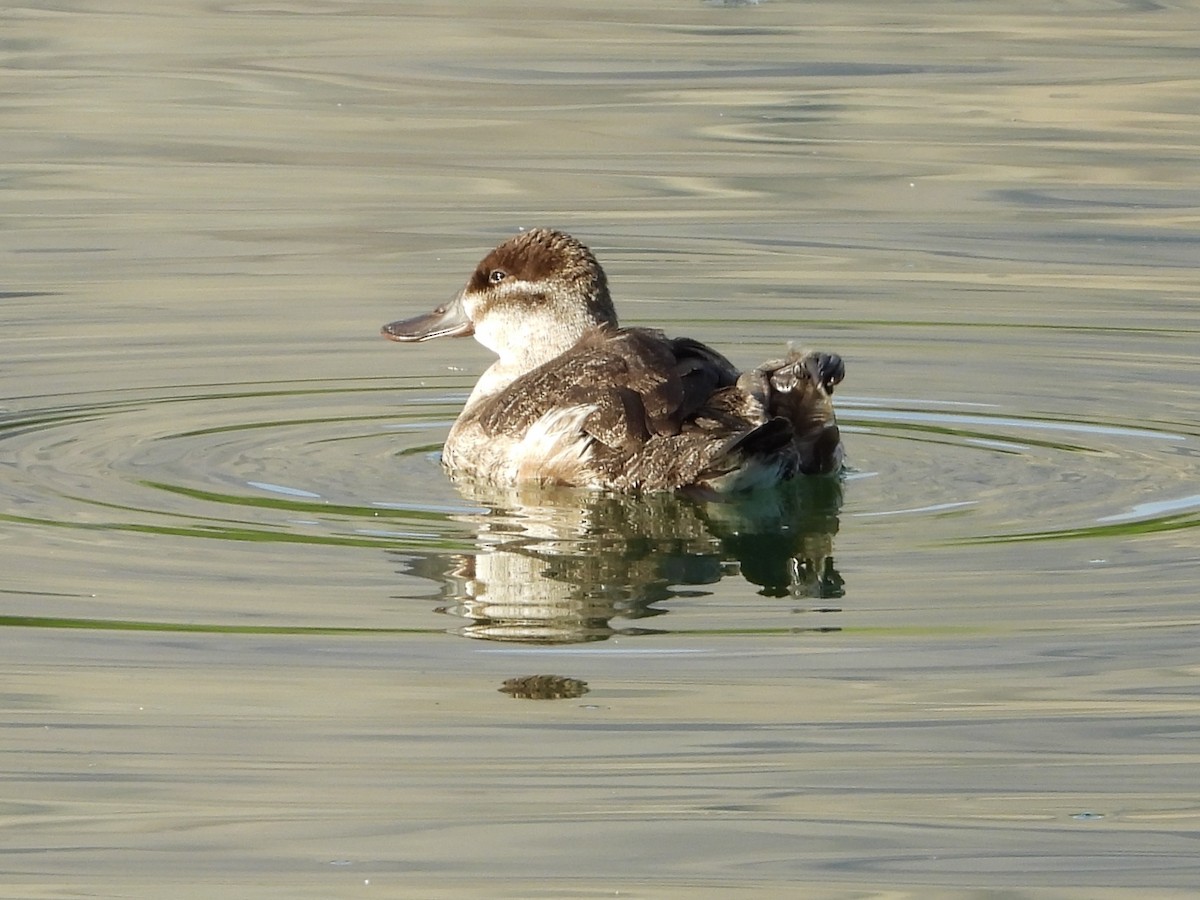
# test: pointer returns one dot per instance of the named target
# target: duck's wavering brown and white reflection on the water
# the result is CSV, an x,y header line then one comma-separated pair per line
x,y
559,566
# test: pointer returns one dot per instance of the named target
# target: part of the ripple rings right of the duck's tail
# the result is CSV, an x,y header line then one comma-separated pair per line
x,y
989,476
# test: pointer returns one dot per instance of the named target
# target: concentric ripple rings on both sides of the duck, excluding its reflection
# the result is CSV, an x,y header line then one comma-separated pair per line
x,y
356,461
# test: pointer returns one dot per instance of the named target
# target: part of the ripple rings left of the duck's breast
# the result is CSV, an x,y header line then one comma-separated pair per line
x,y
229,463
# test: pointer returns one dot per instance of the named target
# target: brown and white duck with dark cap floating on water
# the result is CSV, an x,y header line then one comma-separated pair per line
x,y
577,400
